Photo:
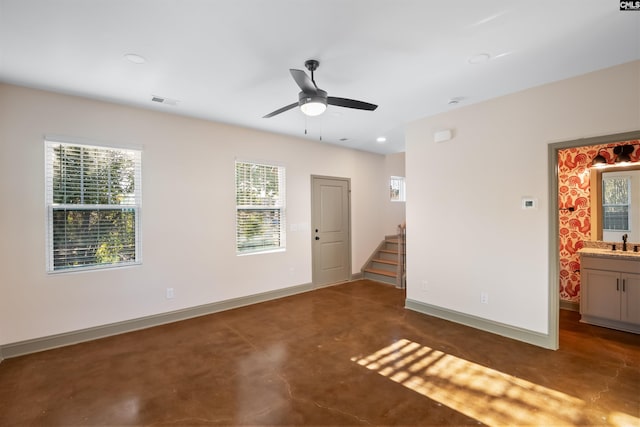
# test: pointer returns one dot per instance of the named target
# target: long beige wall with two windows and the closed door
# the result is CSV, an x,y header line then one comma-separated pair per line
x,y
188,216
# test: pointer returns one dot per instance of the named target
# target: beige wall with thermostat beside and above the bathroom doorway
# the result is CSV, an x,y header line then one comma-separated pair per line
x,y
467,233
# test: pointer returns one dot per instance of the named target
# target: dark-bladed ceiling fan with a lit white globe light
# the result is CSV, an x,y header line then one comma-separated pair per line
x,y
313,100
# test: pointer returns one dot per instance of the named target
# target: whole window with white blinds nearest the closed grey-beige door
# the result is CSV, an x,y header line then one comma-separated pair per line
x,y
260,207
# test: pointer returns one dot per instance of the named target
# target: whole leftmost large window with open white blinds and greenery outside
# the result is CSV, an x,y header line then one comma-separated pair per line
x,y
93,201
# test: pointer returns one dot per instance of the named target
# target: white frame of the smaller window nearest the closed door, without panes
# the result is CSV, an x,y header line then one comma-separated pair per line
x,y
279,206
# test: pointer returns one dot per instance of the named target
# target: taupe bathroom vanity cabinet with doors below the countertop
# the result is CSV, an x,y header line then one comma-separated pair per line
x,y
610,291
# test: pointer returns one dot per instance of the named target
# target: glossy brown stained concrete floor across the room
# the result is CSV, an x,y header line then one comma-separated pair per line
x,y
344,355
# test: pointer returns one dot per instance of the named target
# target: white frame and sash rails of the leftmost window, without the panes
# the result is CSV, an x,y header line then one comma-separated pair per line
x,y
132,203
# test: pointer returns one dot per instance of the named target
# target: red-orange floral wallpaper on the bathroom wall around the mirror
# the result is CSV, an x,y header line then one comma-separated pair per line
x,y
575,208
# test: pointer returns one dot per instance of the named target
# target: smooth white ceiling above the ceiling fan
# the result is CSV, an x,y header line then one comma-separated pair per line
x,y
229,60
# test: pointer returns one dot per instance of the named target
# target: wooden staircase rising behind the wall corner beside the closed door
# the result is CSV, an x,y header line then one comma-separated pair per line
x,y
387,263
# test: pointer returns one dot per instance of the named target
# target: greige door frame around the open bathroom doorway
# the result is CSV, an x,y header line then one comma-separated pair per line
x,y
554,226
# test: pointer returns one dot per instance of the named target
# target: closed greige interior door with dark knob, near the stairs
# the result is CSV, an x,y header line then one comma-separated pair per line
x,y
330,222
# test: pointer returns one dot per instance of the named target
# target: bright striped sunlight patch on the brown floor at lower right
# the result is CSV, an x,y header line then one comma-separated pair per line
x,y
489,396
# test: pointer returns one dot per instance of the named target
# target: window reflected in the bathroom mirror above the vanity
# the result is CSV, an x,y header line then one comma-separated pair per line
x,y
616,191
